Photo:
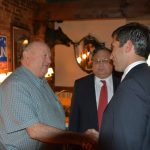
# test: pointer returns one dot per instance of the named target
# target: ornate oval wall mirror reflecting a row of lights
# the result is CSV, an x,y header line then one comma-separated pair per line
x,y
83,52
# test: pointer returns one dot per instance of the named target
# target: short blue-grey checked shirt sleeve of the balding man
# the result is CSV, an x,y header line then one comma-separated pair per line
x,y
19,108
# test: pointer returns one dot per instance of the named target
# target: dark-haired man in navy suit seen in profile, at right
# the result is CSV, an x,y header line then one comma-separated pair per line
x,y
126,120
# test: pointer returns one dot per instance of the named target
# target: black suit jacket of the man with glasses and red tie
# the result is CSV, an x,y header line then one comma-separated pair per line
x,y
83,108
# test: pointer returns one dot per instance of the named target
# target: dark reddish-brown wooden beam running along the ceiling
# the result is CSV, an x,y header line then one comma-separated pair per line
x,y
93,10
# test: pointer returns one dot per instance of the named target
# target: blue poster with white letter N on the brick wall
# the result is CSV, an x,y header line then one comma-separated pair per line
x,y
3,54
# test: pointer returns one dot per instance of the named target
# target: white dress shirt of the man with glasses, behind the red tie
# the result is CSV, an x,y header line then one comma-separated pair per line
x,y
98,85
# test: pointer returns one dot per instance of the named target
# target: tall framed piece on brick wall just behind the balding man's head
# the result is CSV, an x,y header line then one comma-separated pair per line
x,y
21,38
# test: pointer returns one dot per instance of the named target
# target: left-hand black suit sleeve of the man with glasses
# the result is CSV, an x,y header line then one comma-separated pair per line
x,y
74,114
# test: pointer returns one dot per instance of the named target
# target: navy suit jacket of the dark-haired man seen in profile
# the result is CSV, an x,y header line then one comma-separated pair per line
x,y
126,120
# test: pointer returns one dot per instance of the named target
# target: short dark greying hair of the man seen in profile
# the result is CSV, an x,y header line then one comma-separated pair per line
x,y
138,34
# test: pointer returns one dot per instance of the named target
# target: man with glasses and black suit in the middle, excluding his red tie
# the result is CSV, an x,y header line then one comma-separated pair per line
x,y
86,93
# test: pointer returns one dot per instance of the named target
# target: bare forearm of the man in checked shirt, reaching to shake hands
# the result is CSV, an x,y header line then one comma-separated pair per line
x,y
49,134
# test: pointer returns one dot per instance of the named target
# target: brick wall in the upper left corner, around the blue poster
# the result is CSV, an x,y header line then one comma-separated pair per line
x,y
14,13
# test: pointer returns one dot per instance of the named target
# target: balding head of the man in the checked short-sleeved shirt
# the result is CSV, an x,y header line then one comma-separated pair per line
x,y
37,58
